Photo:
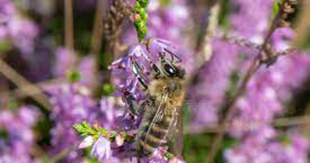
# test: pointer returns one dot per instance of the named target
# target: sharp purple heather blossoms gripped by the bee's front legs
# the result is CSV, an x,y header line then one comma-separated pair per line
x,y
122,69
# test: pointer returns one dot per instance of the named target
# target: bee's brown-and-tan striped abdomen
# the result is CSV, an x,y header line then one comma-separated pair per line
x,y
156,136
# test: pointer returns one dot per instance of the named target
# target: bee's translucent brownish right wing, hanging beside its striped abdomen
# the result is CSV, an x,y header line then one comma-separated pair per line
x,y
177,135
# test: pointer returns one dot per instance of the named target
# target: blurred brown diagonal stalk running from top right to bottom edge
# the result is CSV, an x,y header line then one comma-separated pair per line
x,y
265,56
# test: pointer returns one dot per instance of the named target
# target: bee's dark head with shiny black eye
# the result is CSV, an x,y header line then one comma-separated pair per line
x,y
173,71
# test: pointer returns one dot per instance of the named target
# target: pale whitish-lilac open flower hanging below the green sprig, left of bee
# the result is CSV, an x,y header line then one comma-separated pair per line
x,y
101,148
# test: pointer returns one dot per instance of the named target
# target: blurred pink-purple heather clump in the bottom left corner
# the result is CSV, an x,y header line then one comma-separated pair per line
x,y
16,147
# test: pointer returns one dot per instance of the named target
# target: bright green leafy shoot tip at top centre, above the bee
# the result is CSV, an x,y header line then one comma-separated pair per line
x,y
141,18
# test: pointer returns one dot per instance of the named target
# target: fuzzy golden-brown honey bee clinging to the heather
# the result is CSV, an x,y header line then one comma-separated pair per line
x,y
161,110
